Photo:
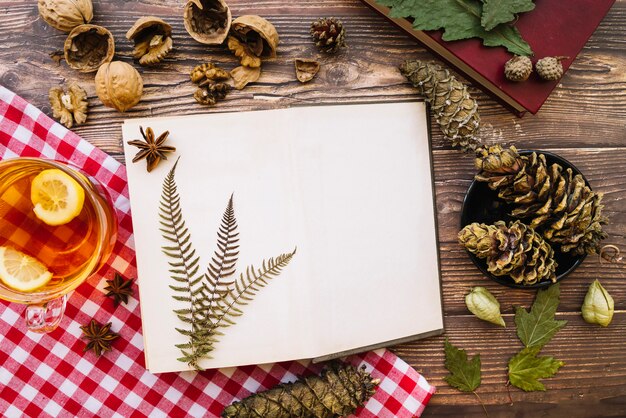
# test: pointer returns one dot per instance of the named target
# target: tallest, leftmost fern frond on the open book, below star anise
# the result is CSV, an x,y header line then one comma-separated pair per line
x,y
183,270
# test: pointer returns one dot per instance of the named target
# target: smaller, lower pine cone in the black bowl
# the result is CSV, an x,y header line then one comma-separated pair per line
x,y
514,250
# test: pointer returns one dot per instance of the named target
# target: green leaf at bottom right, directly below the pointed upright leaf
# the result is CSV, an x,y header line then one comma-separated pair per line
x,y
525,369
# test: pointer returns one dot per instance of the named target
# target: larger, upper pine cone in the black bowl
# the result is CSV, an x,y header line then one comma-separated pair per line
x,y
558,203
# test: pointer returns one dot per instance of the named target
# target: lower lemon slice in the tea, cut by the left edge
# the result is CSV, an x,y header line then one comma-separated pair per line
x,y
22,272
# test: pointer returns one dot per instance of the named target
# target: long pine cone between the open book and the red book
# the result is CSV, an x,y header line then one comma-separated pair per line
x,y
454,109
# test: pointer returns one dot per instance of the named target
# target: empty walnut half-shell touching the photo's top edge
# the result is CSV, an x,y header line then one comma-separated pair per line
x,y
207,21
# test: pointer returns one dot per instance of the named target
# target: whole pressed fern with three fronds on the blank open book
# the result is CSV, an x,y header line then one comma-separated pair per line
x,y
212,300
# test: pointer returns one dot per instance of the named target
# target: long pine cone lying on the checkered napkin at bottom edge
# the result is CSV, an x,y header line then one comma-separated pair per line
x,y
339,391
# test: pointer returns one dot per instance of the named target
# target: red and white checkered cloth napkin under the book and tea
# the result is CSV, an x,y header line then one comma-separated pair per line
x,y
49,375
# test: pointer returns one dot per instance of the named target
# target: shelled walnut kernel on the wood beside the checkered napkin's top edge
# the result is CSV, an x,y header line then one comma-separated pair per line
x,y
69,105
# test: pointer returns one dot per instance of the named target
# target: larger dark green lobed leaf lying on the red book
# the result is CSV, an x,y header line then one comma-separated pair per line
x,y
460,19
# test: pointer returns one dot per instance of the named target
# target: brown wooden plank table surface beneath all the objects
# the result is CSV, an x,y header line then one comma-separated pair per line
x,y
584,121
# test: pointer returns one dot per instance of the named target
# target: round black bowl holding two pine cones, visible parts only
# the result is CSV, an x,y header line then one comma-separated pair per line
x,y
481,204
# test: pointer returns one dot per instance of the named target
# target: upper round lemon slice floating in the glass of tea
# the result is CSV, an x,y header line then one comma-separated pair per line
x,y
56,196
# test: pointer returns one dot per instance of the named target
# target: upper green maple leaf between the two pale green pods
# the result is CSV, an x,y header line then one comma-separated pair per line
x,y
537,327
